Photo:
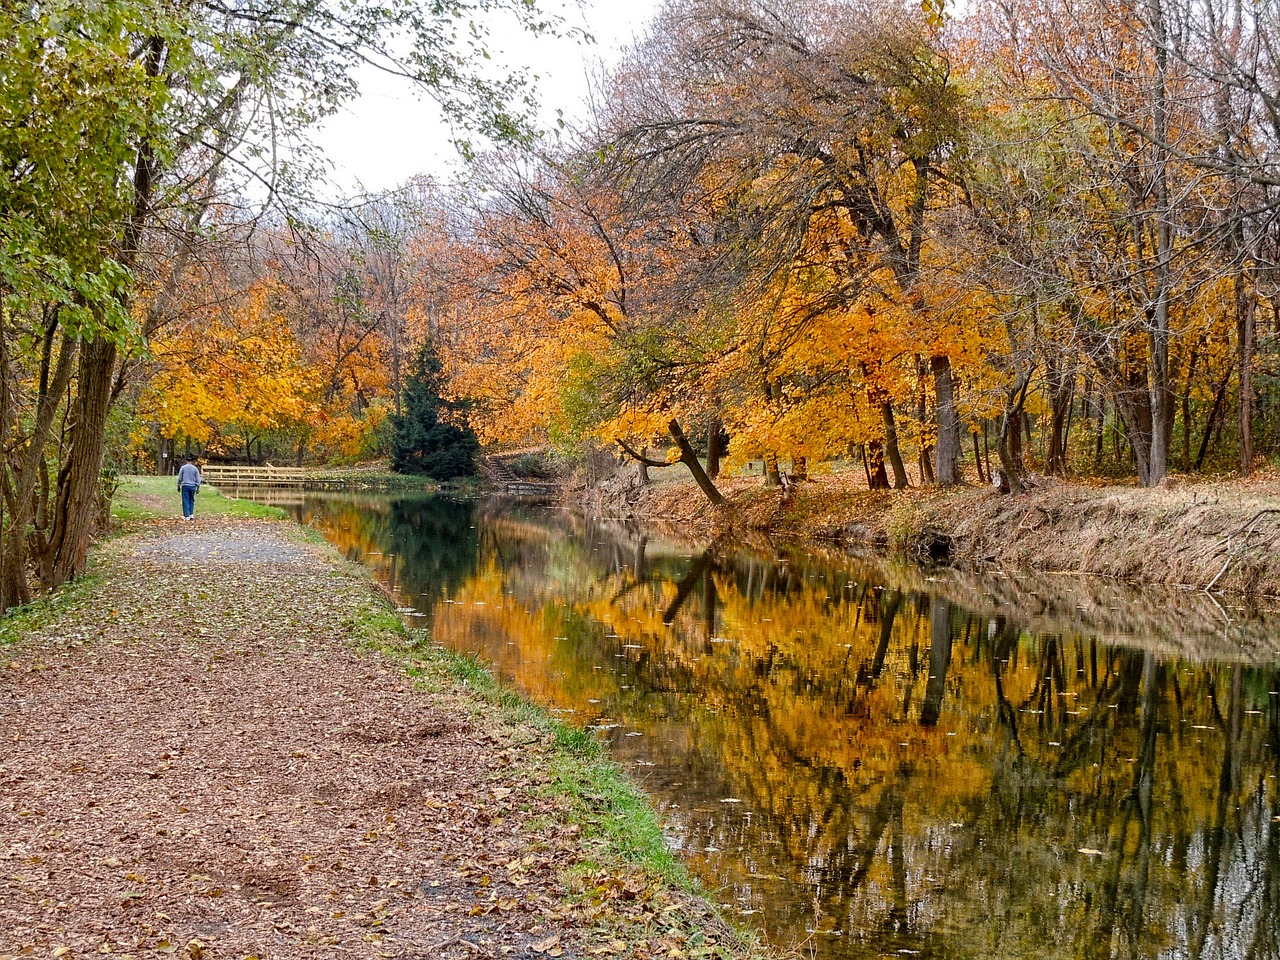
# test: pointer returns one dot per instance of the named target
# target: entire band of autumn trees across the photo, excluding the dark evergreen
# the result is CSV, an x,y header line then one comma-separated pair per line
x,y
944,245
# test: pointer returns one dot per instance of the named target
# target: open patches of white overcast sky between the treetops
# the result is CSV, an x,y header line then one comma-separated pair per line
x,y
391,135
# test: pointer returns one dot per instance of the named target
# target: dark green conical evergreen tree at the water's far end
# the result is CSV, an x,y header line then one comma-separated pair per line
x,y
423,444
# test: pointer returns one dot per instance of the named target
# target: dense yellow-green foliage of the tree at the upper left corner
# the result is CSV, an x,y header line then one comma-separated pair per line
x,y
74,108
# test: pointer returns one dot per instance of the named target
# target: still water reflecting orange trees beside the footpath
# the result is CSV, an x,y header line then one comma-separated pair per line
x,y
874,761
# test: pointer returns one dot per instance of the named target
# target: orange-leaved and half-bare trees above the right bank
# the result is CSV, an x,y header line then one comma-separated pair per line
x,y
836,228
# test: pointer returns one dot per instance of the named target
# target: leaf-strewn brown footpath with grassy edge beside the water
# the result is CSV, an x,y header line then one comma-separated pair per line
x,y
223,744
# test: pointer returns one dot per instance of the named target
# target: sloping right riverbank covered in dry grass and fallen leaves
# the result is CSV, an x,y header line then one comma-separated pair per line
x,y
1222,536
